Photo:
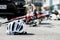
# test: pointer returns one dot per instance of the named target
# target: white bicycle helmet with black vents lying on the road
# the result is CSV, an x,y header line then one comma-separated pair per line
x,y
16,26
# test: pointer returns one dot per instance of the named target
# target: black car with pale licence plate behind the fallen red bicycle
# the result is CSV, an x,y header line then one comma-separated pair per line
x,y
12,8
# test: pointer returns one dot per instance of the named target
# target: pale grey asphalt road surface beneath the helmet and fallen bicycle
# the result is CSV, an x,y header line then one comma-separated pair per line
x,y
47,30
